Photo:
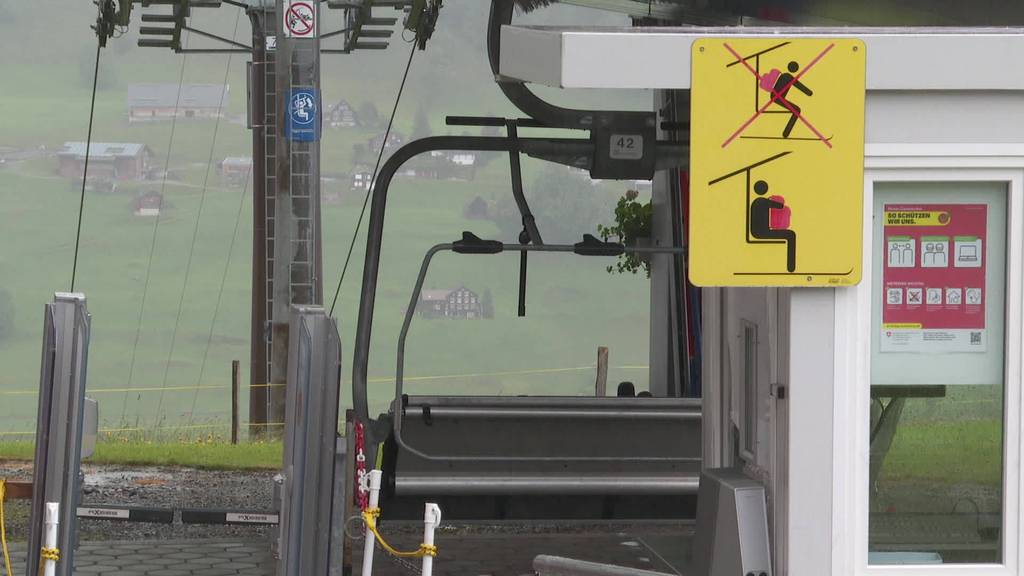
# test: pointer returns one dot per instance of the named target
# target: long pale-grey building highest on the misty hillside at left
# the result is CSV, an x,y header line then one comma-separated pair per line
x,y
148,103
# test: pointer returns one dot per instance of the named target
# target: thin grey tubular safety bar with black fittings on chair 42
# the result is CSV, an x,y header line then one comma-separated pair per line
x,y
584,249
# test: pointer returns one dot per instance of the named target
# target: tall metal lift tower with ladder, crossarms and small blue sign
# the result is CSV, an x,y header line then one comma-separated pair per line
x,y
286,48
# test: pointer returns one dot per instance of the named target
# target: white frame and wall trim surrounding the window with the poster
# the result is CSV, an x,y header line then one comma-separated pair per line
x,y
894,163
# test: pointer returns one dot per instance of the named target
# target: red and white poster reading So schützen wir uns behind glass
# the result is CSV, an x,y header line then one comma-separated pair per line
x,y
933,279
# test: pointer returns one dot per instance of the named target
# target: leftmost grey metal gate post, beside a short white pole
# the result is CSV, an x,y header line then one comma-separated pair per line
x,y
59,429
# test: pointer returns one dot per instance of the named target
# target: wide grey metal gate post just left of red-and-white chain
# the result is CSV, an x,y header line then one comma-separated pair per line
x,y
311,437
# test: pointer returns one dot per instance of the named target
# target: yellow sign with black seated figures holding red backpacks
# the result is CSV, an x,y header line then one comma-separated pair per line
x,y
777,161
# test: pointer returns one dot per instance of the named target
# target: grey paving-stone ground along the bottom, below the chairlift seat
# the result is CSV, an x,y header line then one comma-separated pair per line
x,y
461,555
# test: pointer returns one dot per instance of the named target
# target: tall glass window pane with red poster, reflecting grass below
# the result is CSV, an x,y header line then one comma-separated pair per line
x,y
937,374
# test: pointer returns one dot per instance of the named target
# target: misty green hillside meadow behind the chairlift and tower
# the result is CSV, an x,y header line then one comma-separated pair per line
x,y
166,328
